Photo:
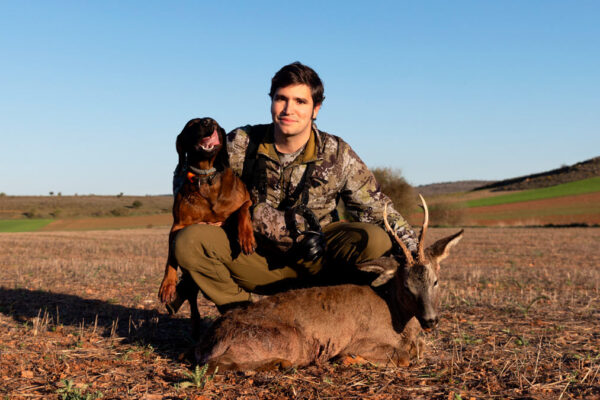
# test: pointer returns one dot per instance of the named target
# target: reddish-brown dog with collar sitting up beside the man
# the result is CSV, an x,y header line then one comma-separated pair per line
x,y
210,194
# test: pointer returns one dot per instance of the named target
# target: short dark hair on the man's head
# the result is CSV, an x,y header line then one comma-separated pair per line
x,y
297,73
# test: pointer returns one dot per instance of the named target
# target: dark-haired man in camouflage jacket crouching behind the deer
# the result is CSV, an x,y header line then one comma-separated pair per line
x,y
296,175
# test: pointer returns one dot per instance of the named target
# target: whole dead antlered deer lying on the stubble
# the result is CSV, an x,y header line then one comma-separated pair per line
x,y
379,323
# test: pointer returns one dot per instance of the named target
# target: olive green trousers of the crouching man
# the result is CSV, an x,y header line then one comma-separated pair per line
x,y
224,276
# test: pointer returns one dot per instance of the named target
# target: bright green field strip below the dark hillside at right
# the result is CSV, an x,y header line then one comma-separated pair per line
x,y
584,186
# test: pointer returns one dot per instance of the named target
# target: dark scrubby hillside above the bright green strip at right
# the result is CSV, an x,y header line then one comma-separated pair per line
x,y
581,170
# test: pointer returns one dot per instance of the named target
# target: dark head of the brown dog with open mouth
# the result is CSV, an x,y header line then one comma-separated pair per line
x,y
202,139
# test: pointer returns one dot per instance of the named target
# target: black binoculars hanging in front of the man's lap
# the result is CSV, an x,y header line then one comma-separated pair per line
x,y
309,244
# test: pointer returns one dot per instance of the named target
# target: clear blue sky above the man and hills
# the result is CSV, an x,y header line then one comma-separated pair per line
x,y
93,93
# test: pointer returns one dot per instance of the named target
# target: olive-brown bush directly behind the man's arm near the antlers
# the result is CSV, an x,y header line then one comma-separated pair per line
x,y
396,188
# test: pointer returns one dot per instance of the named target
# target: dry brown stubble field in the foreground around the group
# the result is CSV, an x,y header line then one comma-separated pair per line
x,y
79,319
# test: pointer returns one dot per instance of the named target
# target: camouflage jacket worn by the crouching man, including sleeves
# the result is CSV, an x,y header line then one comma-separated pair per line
x,y
338,173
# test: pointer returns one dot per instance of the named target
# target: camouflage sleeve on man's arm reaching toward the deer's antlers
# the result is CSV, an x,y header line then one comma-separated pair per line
x,y
364,200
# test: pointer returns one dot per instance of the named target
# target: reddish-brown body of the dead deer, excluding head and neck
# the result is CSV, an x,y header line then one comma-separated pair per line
x,y
305,326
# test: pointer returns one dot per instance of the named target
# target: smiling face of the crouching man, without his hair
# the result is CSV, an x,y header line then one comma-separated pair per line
x,y
292,110
